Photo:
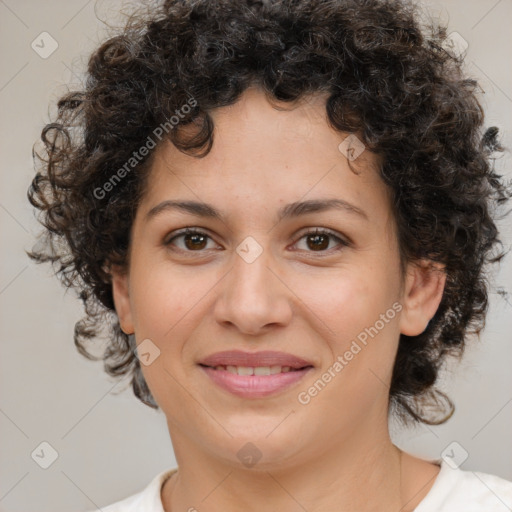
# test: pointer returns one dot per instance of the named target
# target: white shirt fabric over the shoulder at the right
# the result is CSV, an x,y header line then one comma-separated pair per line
x,y
469,491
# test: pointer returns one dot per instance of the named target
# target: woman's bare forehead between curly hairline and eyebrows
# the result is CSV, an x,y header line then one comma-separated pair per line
x,y
265,155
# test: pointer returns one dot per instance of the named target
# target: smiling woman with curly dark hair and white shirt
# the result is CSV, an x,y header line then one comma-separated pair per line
x,y
284,211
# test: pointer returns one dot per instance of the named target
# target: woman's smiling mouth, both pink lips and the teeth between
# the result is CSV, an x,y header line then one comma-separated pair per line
x,y
256,380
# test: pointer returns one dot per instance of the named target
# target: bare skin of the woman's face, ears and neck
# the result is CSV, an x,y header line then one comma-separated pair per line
x,y
193,302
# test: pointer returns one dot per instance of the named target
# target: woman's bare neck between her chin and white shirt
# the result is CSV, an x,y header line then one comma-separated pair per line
x,y
352,475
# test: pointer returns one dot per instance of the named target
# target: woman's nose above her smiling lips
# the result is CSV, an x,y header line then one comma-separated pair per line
x,y
252,297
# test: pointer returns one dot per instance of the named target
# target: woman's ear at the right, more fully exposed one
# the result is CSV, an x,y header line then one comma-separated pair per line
x,y
423,291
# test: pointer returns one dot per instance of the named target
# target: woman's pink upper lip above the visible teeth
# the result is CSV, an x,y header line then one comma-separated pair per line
x,y
254,359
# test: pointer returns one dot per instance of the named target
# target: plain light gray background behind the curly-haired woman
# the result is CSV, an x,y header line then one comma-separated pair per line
x,y
110,445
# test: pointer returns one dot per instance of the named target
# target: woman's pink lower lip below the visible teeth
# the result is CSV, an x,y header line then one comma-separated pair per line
x,y
254,386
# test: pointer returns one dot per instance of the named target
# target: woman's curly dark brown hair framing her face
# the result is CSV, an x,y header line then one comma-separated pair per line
x,y
388,78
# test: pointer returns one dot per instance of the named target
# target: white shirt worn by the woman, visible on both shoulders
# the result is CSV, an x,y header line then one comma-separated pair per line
x,y
454,490
